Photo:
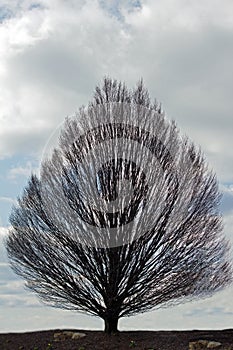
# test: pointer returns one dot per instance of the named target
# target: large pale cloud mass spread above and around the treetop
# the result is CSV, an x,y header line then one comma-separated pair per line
x,y
53,55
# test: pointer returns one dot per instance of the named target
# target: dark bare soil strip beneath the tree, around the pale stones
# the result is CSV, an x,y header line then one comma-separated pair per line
x,y
97,340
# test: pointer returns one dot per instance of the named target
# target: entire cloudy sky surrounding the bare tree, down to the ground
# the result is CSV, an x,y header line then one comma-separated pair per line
x,y
52,55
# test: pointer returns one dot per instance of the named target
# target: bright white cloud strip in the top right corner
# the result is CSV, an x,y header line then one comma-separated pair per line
x,y
194,15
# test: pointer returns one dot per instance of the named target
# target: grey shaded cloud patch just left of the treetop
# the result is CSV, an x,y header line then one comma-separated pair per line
x,y
58,65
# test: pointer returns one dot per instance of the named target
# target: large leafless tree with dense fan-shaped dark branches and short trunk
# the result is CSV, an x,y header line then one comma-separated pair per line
x,y
83,243
